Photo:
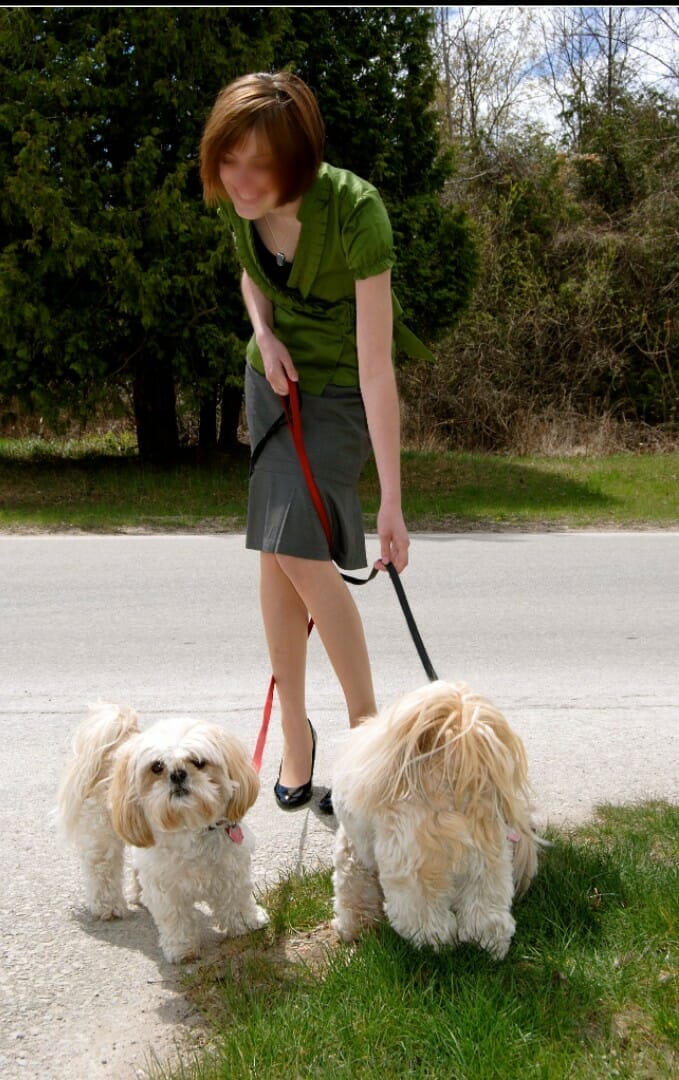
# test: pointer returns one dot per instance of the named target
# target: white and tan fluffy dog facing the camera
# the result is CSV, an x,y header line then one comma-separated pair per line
x,y
176,794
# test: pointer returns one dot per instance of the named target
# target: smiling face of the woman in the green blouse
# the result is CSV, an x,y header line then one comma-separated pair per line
x,y
248,174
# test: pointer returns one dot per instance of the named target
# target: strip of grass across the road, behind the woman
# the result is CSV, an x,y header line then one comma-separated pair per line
x,y
100,485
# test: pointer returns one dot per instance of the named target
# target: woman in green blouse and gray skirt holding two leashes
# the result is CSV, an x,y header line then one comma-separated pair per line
x,y
317,251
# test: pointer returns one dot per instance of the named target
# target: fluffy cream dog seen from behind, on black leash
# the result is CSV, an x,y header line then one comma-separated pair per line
x,y
436,822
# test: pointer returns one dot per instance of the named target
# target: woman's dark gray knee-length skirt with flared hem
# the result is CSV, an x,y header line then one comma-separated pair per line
x,y
281,515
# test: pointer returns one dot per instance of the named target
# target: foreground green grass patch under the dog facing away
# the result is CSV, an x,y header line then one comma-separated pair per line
x,y
589,989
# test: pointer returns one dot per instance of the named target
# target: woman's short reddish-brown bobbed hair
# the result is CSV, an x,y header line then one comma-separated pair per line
x,y
280,107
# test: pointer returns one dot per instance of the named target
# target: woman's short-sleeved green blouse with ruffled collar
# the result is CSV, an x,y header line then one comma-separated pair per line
x,y
346,236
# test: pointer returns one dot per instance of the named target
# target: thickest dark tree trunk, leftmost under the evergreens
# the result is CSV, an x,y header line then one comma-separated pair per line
x,y
156,413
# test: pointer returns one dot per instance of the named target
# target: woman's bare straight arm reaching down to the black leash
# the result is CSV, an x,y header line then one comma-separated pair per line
x,y
381,397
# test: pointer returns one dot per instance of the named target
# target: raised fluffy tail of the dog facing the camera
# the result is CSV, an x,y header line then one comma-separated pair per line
x,y
98,738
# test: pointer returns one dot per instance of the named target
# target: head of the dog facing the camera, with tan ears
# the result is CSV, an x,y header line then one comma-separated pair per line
x,y
180,776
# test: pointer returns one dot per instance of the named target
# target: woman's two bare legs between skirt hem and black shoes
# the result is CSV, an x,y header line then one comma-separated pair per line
x,y
291,590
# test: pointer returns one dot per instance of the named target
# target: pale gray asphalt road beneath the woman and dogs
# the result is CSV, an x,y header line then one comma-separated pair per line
x,y
575,636
